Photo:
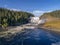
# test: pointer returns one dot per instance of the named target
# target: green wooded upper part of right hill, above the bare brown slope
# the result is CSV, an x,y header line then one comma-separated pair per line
x,y
55,14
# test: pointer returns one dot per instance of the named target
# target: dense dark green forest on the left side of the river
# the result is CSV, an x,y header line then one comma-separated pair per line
x,y
12,18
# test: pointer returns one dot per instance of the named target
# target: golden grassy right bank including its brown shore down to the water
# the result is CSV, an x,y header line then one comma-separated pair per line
x,y
52,26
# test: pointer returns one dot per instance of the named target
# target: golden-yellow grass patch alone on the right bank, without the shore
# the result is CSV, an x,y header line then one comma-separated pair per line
x,y
53,24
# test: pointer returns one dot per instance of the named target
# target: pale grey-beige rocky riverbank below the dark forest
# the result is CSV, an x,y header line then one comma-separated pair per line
x,y
13,30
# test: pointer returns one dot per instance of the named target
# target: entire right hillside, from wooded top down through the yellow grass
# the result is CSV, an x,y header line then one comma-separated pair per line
x,y
53,20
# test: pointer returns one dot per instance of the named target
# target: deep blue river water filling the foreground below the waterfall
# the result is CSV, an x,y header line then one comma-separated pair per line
x,y
32,37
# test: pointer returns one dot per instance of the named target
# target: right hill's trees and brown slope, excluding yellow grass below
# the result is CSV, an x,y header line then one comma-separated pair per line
x,y
54,15
